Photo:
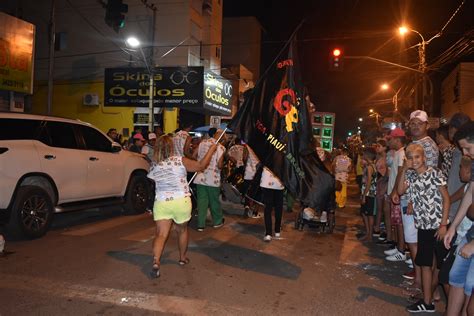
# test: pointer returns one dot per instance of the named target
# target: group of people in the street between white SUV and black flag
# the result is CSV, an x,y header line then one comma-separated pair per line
x,y
174,158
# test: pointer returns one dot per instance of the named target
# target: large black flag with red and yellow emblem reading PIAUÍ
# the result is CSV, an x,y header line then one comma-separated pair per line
x,y
274,121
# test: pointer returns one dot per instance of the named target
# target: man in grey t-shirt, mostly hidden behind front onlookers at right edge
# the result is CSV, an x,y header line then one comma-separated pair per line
x,y
454,182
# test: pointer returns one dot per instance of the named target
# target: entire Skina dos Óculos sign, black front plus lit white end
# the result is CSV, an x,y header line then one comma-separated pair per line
x,y
186,87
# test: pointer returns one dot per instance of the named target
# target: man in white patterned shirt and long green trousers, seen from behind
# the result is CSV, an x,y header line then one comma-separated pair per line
x,y
208,182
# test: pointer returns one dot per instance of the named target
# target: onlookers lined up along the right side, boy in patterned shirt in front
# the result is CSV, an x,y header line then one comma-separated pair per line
x,y
421,190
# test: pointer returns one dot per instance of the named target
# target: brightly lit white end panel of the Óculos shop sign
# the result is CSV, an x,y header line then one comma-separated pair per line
x,y
217,93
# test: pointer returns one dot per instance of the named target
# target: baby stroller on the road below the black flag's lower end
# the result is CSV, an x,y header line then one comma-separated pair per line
x,y
324,221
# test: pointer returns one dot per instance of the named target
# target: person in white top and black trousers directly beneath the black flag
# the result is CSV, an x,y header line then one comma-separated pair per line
x,y
272,195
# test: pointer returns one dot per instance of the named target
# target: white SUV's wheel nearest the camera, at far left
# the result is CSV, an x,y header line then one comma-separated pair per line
x,y
32,212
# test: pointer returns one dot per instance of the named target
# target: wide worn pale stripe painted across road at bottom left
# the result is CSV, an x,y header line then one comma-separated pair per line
x,y
148,301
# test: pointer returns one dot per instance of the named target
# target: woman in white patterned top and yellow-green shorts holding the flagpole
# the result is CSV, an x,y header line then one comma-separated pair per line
x,y
172,197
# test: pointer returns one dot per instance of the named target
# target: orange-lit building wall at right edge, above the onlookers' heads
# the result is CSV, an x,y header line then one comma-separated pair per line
x,y
457,91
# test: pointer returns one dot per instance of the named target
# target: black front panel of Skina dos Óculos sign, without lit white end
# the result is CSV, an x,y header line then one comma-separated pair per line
x,y
172,87
